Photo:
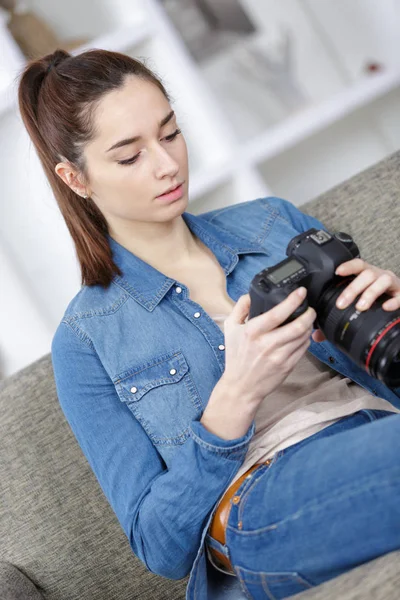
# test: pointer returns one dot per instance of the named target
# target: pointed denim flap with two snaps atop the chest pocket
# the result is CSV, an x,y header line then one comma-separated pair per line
x,y
164,369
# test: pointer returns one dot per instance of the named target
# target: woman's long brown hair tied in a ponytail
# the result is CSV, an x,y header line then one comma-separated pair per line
x,y
57,95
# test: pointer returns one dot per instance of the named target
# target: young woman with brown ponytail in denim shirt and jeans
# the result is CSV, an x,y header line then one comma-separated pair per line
x,y
227,451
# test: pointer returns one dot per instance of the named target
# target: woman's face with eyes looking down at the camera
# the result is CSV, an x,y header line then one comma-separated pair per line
x,y
155,162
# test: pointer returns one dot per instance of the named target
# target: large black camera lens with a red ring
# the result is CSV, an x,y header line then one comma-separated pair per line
x,y
371,338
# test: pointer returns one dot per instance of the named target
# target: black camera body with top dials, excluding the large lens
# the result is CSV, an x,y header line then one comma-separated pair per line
x,y
313,257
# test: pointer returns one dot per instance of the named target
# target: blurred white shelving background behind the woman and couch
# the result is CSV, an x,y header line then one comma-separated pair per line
x,y
274,98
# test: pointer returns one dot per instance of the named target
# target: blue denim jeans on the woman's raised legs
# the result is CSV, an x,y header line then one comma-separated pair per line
x,y
320,508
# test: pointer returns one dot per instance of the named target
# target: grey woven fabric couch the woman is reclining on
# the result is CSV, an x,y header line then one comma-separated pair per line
x,y
60,539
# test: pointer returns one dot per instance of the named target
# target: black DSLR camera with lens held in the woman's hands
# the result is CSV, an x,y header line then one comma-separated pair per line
x,y
370,338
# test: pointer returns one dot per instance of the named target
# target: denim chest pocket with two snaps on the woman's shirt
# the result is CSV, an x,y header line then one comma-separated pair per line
x,y
162,396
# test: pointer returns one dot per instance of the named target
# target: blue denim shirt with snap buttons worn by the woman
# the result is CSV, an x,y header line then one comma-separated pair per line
x,y
134,367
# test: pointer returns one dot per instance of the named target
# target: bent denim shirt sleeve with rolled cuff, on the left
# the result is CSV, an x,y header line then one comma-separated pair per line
x,y
162,511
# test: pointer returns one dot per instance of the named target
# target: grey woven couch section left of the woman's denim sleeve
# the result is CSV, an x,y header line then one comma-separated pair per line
x,y
54,517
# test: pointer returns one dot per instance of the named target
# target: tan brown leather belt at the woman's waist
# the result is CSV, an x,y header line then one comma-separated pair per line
x,y
220,519
